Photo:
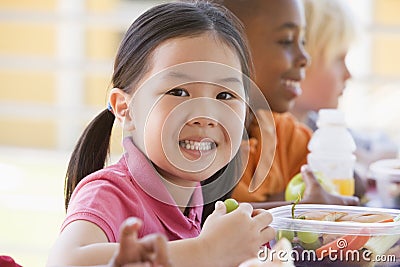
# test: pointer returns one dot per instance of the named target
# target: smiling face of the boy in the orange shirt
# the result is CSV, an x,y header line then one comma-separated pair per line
x,y
276,36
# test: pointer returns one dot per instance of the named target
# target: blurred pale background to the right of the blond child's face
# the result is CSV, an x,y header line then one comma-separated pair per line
x,y
371,99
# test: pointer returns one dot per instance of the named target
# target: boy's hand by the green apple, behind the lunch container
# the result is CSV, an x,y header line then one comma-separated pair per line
x,y
314,193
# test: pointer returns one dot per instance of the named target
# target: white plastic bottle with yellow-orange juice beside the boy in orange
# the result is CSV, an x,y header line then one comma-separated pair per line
x,y
332,151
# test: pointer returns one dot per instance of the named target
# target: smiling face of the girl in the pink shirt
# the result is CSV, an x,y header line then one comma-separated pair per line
x,y
189,112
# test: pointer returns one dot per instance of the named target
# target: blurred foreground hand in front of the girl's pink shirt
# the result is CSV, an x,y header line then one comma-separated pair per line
x,y
149,251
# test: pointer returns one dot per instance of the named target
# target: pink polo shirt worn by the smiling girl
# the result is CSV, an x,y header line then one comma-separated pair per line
x,y
129,188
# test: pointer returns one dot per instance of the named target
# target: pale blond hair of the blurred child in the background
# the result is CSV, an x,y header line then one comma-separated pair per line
x,y
330,28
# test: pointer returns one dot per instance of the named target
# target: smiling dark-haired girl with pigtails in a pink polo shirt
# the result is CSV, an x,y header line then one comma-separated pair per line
x,y
179,90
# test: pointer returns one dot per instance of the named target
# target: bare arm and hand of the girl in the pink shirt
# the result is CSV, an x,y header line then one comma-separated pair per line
x,y
219,244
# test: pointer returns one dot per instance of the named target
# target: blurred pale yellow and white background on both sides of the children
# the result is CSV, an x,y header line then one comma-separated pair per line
x,y
55,70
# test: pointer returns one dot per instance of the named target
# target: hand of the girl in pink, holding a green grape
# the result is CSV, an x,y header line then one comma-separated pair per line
x,y
236,236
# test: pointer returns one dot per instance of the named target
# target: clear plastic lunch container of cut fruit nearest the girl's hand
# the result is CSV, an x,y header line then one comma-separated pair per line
x,y
338,243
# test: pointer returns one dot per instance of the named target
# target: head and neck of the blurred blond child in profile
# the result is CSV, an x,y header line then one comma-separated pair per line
x,y
329,34
